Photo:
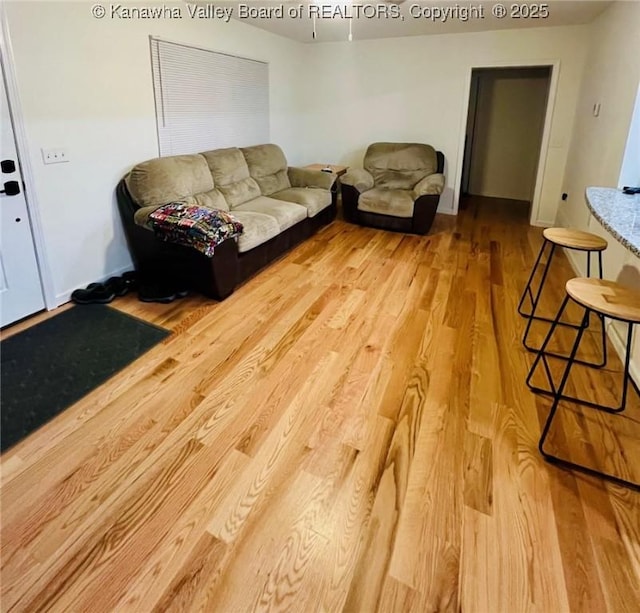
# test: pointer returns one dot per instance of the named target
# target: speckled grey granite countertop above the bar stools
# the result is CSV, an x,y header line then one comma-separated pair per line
x,y
618,213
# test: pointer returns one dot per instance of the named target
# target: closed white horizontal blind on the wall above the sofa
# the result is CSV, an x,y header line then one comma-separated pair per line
x,y
207,100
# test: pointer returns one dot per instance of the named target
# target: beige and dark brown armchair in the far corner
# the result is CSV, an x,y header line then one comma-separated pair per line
x,y
398,189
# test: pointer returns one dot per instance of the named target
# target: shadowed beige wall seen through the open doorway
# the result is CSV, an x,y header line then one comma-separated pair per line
x,y
510,113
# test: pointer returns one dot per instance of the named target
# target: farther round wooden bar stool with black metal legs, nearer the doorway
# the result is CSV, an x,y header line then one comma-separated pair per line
x,y
569,239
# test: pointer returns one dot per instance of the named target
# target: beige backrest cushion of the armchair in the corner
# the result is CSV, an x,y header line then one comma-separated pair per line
x,y
400,165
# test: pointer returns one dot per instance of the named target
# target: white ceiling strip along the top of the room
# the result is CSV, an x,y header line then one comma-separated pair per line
x,y
560,13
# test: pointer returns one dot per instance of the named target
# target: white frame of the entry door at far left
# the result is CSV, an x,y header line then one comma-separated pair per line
x,y
24,161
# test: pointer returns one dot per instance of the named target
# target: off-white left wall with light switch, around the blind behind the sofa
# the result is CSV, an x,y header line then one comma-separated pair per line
x,y
85,84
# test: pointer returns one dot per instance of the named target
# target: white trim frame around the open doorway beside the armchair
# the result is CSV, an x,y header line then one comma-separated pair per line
x,y
554,65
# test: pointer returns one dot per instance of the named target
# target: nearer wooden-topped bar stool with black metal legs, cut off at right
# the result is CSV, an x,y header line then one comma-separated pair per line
x,y
605,299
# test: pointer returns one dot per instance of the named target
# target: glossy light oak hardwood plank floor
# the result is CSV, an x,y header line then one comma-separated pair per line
x,y
349,431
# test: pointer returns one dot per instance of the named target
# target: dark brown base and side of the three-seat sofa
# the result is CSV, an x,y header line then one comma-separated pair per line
x,y
215,277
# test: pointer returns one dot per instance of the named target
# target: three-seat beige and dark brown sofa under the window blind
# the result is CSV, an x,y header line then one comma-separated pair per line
x,y
278,205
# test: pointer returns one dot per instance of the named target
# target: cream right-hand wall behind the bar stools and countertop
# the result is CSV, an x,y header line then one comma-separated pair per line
x,y
599,142
